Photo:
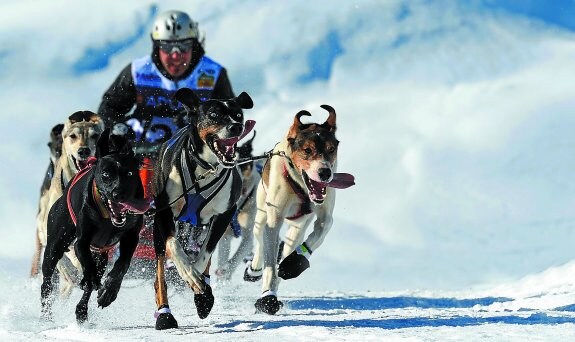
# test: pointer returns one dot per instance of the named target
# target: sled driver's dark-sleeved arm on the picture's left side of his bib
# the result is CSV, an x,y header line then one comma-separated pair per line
x,y
119,98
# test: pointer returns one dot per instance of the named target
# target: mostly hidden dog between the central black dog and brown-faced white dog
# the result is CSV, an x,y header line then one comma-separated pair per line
x,y
244,219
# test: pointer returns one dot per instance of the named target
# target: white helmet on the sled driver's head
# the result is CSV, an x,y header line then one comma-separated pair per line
x,y
174,25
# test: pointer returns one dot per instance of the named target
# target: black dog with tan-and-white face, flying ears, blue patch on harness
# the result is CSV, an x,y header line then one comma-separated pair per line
x,y
196,182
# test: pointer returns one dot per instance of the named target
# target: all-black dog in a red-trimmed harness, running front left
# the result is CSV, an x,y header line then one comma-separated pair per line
x,y
102,205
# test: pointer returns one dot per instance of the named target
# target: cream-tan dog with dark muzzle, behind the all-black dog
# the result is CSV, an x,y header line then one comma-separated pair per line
x,y
79,136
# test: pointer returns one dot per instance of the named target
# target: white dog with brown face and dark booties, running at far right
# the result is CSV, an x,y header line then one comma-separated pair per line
x,y
294,189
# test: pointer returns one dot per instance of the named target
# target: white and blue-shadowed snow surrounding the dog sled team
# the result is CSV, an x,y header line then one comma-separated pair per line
x,y
454,116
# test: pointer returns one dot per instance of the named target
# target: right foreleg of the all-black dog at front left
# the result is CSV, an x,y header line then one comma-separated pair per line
x,y
109,291
